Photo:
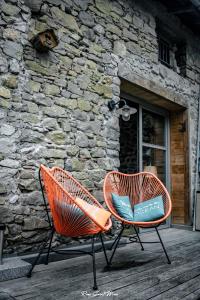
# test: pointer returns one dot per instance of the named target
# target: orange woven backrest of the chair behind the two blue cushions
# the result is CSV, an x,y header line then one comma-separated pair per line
x,y
139,187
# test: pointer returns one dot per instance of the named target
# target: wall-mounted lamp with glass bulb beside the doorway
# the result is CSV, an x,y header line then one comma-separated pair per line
x,y
122,108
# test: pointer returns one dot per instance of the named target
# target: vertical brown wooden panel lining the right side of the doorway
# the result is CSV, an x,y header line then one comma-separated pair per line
x,y
179,167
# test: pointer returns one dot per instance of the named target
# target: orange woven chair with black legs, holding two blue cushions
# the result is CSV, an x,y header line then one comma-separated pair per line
x,y
139,187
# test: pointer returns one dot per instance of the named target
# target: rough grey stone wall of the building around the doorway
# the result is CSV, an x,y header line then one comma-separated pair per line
x,y
53,107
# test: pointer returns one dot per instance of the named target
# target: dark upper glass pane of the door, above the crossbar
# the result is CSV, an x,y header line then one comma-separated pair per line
x,y
153,128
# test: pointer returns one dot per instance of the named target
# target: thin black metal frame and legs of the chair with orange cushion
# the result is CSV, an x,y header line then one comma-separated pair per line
x,y
48,240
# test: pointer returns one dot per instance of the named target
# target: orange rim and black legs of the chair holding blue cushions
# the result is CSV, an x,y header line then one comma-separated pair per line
x,y
124,223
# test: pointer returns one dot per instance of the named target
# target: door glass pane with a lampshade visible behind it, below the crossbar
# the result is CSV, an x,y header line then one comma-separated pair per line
x,y
154,159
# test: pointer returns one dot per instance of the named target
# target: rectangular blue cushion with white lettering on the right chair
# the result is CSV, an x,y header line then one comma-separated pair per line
x,y
150,210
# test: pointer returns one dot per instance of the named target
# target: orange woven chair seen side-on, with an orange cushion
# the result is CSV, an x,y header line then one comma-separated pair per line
x,y
75,212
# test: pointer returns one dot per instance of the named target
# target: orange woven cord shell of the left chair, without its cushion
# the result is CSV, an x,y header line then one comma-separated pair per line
x,y
61,191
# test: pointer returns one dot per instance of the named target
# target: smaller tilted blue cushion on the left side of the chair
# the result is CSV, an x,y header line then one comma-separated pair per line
x,y
123,206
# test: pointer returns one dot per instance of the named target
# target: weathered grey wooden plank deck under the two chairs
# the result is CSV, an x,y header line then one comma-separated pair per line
x,y
135,274
